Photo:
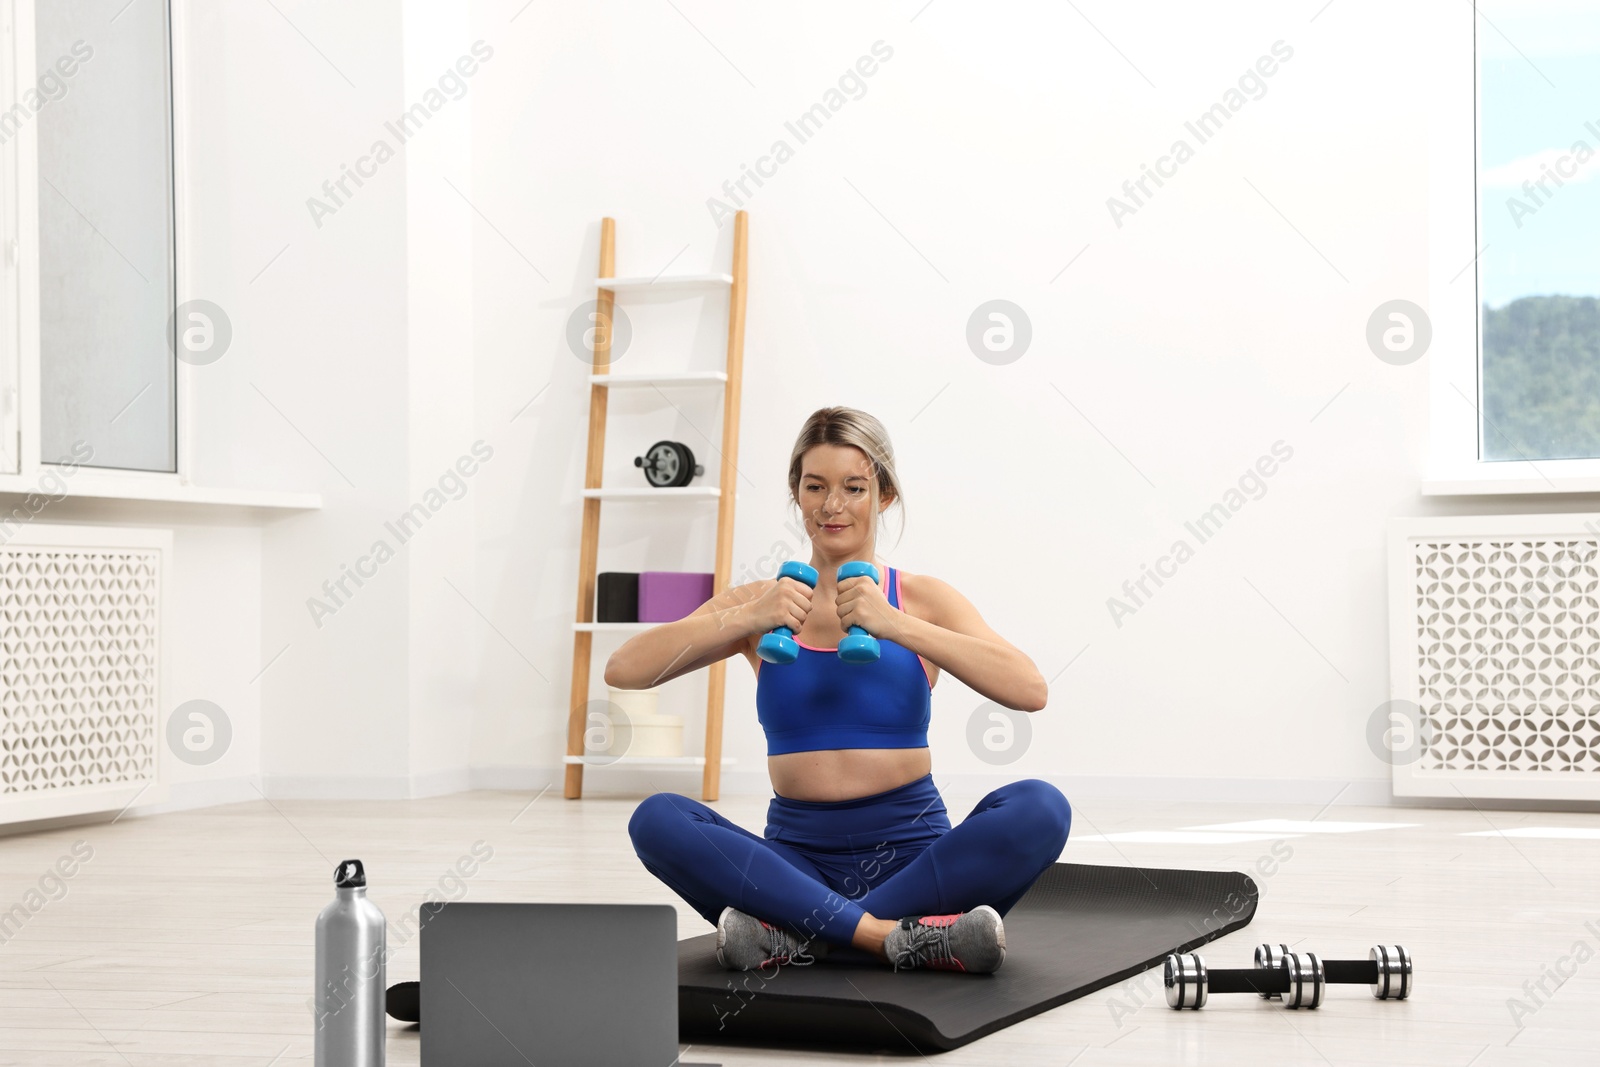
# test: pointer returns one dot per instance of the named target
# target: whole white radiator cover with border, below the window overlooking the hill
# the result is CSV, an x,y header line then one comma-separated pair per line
x,y
1495,636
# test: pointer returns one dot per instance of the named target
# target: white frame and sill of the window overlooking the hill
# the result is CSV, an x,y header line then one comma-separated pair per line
x,y
1455,358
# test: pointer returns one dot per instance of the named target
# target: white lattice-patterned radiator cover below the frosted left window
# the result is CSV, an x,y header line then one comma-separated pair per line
x,y
81,668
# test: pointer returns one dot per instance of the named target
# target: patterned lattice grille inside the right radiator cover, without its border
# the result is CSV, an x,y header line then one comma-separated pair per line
x,y
1510,655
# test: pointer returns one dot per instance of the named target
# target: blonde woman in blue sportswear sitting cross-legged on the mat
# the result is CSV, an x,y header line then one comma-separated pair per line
x,y
858,855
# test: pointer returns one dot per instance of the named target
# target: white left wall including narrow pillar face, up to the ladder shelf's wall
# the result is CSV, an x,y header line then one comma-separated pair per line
x,y
351,375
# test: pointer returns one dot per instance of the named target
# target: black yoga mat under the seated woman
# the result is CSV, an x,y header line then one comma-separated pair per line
x,y
1079,929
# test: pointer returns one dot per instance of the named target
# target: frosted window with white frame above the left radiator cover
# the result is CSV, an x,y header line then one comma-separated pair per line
x,y
87,138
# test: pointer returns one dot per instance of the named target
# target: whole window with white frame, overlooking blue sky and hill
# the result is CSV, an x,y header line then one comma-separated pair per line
x,y
1514,362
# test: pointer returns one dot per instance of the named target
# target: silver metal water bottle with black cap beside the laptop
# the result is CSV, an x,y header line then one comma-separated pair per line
x,y
350,994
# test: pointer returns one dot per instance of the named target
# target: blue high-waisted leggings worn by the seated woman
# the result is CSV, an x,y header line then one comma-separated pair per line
x,y
823,866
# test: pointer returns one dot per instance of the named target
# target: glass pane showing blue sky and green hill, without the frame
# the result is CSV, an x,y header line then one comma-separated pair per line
x,y
1538,226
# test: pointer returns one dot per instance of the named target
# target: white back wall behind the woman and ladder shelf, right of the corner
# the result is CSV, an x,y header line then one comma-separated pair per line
x,y
1177,350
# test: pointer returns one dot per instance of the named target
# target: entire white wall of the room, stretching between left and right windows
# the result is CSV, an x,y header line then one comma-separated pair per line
x,y
428,314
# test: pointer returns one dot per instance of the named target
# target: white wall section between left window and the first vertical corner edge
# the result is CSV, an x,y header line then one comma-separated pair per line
x,y
314,394
